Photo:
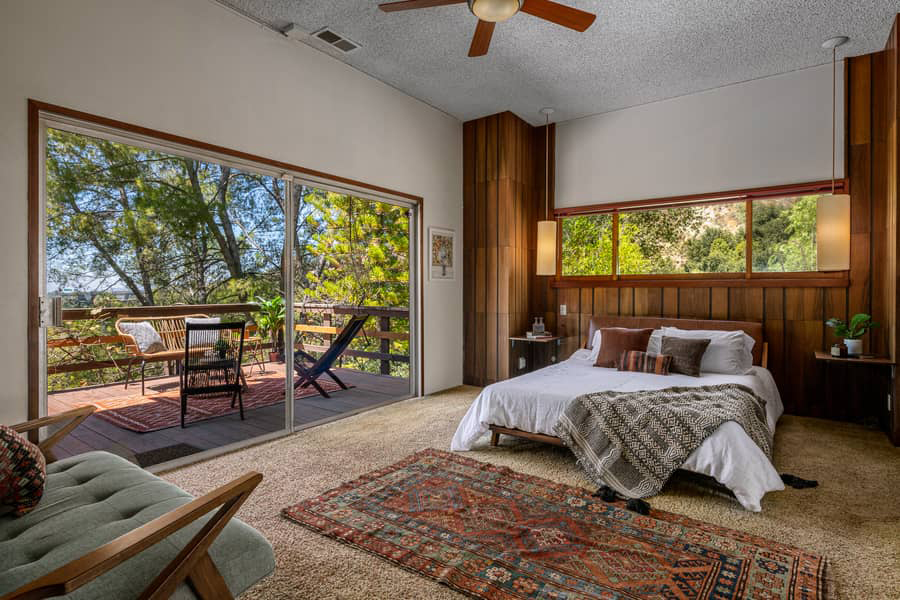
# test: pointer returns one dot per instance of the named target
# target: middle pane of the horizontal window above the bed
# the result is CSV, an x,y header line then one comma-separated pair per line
x,y
692,239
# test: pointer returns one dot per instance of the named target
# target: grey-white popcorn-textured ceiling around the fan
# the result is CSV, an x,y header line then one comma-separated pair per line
x,y
637,51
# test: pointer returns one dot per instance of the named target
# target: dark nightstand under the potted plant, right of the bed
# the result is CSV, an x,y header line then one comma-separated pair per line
x,y
858,389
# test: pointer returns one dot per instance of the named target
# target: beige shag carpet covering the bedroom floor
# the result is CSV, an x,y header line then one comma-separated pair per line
x,y
853,517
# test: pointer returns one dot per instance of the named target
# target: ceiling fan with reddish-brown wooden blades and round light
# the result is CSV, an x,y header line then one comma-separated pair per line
x,y
491,12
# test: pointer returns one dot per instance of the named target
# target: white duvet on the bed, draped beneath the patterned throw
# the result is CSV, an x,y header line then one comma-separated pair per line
x,y
534,402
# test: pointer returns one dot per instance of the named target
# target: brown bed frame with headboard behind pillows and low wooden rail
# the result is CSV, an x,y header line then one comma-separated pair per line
x,y
754,330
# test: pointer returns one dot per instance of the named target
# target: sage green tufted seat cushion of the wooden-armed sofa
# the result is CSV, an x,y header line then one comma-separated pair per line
x,y
93,498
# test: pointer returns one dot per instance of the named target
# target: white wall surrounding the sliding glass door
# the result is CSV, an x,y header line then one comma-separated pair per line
x,y
193,68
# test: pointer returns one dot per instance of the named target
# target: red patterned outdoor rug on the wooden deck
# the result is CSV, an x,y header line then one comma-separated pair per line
x,y
161,410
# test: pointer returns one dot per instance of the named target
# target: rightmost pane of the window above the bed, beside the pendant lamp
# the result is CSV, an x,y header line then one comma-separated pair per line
x,y
784,235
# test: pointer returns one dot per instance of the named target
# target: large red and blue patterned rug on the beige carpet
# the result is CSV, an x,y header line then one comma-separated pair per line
x,y
490,532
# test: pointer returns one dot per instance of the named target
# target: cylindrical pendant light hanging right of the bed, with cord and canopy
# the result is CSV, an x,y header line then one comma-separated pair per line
x,y
833,210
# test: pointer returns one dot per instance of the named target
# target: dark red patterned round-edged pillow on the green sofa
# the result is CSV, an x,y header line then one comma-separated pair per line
x,y
23,472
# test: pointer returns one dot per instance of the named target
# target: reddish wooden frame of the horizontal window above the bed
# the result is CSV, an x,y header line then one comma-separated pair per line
x,y
748,278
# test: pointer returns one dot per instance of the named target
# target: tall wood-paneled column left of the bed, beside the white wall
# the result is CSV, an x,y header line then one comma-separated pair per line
x,y
502,203
